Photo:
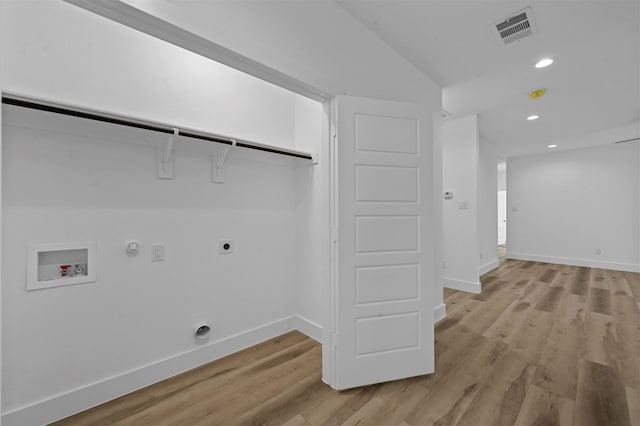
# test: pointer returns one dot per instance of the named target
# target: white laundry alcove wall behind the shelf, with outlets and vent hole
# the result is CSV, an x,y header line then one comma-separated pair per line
x,y
67,179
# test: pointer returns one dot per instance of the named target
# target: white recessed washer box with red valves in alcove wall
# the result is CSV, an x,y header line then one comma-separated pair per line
x,y
54,265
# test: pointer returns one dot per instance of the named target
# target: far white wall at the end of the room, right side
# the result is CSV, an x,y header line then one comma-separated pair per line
x,y
562,206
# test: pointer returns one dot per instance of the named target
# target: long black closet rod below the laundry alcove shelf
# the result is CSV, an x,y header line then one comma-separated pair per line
x,y
139,124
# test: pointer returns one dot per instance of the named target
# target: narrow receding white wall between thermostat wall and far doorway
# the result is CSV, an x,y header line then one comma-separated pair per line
x,y
487,207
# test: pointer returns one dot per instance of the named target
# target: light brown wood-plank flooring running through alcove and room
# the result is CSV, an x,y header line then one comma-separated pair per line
x,y
542,344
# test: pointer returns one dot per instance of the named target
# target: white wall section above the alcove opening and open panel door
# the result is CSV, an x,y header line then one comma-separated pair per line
x,y
295,38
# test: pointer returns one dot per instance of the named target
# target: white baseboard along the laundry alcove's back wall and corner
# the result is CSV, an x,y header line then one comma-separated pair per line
x,y
66,404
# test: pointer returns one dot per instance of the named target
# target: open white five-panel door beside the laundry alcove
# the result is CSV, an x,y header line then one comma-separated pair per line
x,y
382,248
